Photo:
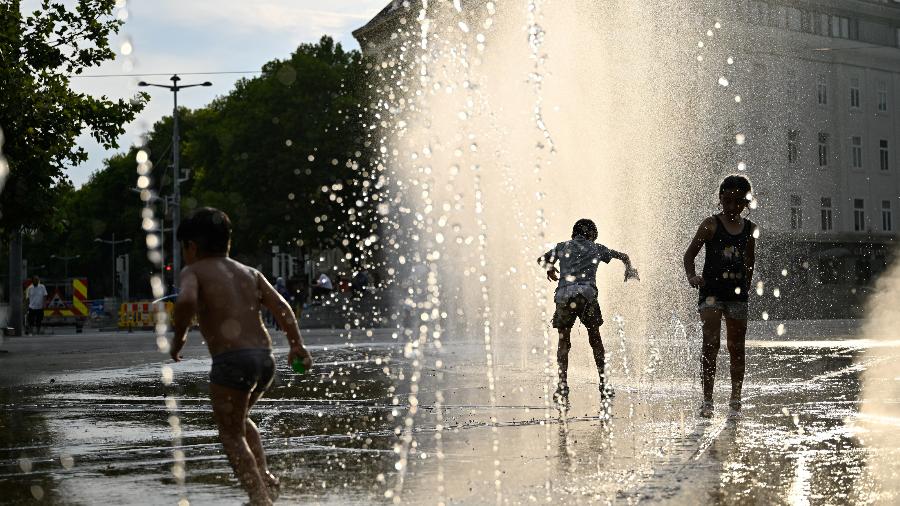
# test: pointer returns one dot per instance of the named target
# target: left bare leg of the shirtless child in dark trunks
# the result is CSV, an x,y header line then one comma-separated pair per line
x,y
230,412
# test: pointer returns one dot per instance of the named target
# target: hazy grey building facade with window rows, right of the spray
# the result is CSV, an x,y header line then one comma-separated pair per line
x,y
825,128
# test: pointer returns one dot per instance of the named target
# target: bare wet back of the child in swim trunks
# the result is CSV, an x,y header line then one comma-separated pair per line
x,y
228,306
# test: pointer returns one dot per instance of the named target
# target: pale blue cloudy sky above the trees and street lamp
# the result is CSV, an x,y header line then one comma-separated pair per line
x,y
182,36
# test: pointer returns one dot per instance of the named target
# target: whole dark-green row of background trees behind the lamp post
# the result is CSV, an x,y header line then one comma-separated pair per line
x,y
263,153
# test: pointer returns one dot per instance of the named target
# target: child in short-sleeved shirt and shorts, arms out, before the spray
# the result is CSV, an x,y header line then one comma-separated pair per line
x,y
576,296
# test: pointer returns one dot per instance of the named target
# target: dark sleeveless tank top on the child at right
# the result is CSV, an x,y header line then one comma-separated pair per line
x,y
725,273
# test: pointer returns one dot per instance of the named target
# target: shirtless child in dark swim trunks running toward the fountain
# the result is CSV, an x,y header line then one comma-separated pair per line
x,y
227,297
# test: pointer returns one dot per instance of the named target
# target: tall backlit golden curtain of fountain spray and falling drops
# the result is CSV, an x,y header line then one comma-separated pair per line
x,y
492,147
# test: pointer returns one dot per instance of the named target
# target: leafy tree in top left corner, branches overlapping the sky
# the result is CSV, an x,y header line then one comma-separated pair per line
x,y
40,115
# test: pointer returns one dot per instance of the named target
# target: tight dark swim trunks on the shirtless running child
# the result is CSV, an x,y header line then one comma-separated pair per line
x,y
250,369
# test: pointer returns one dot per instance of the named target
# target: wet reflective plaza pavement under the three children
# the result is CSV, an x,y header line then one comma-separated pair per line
x,y
84,420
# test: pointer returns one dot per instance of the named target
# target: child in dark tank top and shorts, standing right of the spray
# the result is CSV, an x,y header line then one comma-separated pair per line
x,y
730,242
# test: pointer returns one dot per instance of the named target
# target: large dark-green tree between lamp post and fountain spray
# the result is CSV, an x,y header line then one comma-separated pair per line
x,y
264,152
